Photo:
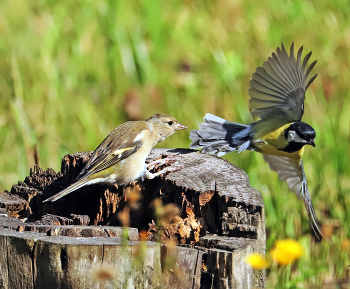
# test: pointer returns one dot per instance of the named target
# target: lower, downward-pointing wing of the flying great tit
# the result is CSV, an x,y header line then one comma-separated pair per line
x,y
292,171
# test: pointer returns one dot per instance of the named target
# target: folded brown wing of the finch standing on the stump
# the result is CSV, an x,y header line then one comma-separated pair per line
x,y
117,146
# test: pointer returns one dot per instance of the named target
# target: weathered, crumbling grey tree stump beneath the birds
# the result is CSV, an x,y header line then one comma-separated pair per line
x,y
77,241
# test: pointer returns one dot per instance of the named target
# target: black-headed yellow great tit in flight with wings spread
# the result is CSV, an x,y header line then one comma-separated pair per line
x,y
277,93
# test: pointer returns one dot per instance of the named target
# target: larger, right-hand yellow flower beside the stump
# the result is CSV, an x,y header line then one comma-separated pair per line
x,y
286,251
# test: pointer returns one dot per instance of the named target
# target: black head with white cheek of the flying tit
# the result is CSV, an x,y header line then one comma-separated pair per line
x,y
302,133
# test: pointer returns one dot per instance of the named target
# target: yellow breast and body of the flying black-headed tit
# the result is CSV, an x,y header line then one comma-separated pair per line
x,y
274,142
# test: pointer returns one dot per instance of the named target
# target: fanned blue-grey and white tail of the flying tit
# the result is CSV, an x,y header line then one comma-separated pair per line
x,y
219,136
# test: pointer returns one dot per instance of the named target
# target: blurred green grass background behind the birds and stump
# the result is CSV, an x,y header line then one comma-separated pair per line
x,y
71,71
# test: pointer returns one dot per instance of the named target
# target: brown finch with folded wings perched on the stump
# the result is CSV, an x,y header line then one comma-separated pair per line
x,y
120,158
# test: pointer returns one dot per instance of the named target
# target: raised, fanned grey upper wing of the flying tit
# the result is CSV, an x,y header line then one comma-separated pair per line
x,y
277,88
